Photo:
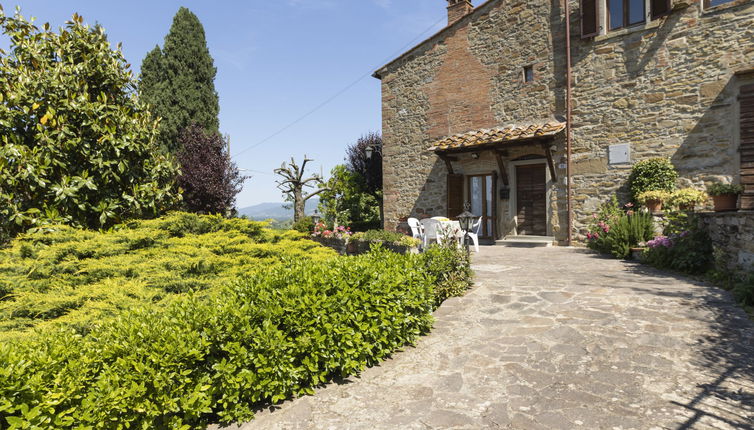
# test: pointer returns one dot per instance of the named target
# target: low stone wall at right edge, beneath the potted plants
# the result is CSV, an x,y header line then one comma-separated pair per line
x,y
732,235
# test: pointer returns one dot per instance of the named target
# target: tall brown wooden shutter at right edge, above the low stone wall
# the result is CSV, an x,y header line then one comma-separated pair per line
x,y
746,121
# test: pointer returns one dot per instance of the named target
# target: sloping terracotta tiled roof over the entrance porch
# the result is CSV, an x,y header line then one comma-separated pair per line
x,y
497,136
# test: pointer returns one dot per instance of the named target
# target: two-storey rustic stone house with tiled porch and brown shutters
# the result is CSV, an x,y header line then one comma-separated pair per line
x,y
479,112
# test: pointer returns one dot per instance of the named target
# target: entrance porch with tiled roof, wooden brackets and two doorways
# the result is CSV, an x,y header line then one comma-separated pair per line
x,y
508,177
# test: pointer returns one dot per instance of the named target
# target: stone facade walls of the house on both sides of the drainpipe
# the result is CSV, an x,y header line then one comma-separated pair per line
x,y
668,89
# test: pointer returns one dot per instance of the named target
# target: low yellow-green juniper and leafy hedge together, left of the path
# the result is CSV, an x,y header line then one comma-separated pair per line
x,y
189,319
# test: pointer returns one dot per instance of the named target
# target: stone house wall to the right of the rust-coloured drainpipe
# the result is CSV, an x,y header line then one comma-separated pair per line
x,y
667,89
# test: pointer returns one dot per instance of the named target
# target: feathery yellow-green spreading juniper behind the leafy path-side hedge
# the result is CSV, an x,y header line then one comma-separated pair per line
x,y
62,276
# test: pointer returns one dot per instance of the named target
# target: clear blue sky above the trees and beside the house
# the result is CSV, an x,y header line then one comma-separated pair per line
x,y
276,60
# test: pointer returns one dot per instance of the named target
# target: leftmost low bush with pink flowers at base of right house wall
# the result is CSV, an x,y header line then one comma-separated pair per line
x,y
613,231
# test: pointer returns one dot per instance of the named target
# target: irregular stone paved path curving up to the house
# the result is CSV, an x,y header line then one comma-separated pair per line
x,y
556,338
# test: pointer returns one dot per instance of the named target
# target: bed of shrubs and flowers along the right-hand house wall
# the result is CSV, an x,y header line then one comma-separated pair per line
x,y
660,226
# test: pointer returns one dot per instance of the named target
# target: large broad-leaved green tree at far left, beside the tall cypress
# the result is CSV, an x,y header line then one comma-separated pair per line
x,y
77,146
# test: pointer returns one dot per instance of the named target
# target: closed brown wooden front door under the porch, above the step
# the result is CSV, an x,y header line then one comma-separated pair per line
x,y
531,199
